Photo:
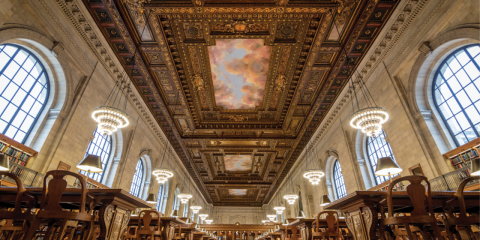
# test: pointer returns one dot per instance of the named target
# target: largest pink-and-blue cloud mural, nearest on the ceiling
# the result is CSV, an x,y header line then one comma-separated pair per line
x,y
239,72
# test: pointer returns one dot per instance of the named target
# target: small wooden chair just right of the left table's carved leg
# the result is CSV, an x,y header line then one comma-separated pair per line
x,y
146,228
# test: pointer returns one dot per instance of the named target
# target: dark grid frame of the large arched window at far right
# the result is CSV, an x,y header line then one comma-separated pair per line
x,y
454,95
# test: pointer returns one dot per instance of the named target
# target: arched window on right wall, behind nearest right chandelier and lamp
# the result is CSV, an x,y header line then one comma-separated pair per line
x,y
378,147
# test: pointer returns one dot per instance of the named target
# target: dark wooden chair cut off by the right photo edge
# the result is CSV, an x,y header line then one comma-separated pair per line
x,y
453,222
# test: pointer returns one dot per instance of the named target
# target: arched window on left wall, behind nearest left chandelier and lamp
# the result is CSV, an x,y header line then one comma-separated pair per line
x,y
101,145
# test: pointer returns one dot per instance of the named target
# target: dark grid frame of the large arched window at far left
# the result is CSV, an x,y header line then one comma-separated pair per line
x,y
47,87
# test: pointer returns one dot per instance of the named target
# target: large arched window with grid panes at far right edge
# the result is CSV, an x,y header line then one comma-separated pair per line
x,y
456,93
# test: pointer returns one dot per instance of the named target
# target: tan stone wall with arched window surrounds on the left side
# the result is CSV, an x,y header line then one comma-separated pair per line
x,y
82,71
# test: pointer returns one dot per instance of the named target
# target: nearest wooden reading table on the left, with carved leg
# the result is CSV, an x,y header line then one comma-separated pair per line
x,y
114,205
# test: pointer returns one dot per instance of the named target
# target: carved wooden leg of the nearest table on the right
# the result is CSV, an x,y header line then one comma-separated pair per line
x,y
362,222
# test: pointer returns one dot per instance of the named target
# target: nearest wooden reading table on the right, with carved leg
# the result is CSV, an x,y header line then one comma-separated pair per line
x,y
362,208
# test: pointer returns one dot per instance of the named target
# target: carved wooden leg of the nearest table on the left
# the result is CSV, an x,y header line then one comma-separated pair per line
x,y
113,221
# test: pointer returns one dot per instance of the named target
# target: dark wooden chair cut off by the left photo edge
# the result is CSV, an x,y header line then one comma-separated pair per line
x,y
17,221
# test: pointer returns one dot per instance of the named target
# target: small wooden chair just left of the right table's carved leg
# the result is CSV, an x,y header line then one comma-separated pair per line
x,y
333,226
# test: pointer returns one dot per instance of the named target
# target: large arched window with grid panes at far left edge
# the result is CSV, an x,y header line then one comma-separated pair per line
x,y
24,89
